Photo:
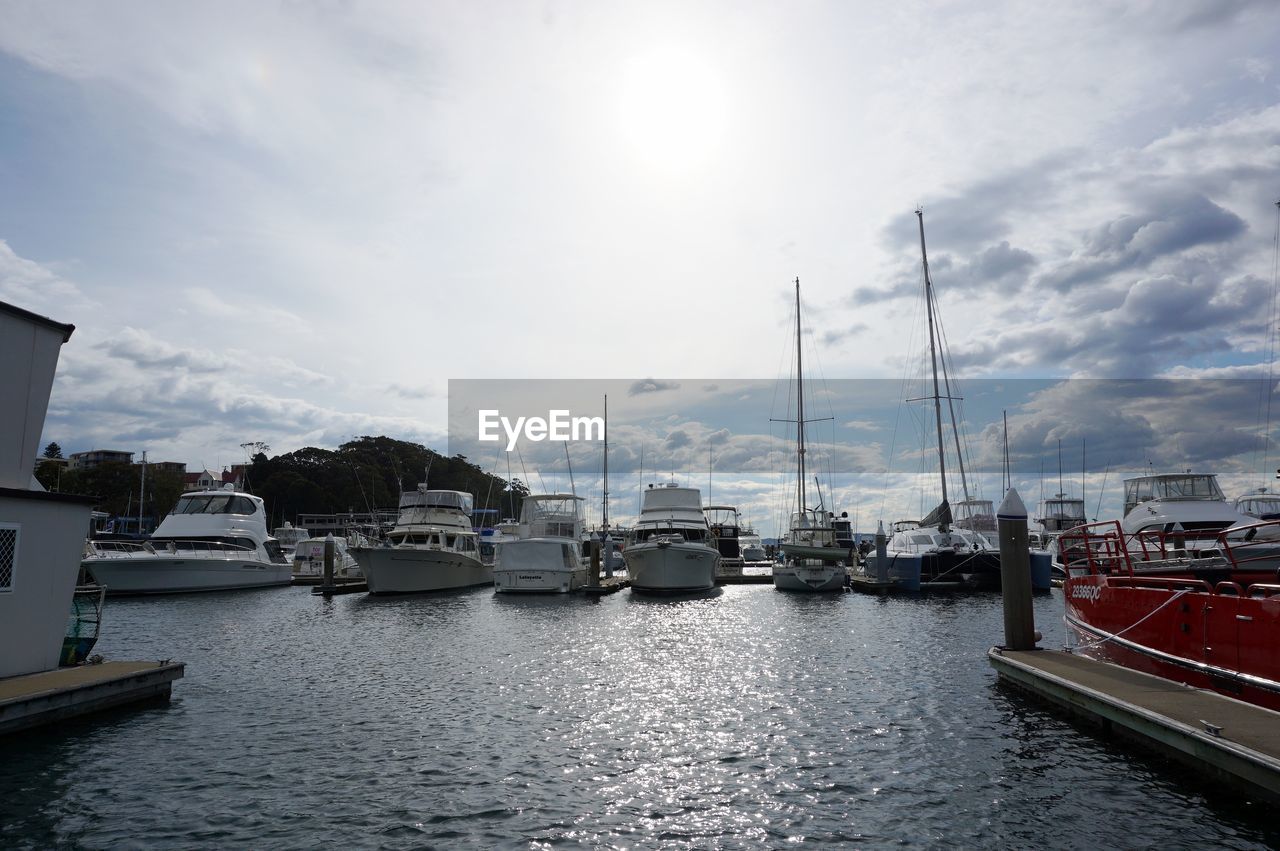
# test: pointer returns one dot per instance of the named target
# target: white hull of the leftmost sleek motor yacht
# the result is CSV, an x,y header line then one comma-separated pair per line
x,y
147,574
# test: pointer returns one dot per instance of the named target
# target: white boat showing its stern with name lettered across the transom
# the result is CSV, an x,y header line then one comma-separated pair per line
x,y
547,557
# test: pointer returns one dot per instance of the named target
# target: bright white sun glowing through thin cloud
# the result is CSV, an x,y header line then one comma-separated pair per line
x,y
671,109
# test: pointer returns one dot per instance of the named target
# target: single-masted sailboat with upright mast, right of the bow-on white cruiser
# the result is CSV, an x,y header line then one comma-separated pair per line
x,y
813,561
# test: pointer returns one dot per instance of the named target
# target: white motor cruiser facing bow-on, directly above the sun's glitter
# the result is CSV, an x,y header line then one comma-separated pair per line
x,y
671,550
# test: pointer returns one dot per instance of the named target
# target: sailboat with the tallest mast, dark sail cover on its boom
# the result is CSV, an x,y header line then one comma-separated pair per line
x,y
950,556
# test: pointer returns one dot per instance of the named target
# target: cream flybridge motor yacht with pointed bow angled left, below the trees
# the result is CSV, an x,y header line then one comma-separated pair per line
x,y
432,547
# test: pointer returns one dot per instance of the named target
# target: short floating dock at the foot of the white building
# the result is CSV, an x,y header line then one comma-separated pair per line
x,y
39,699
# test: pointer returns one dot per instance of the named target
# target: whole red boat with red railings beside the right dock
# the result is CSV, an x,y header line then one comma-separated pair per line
x,y
1205,617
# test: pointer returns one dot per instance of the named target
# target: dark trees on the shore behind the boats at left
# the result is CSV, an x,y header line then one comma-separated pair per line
x,y
363,475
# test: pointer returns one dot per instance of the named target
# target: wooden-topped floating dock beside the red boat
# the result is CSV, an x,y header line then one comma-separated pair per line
x,y
1228,739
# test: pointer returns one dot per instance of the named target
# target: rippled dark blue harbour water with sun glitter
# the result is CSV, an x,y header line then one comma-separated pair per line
x,y
746,720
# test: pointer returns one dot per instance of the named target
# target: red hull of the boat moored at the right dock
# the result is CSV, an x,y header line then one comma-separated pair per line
x,y
1182,632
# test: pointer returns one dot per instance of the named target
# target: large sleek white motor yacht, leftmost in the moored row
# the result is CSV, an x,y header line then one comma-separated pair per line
x,y
213,541
